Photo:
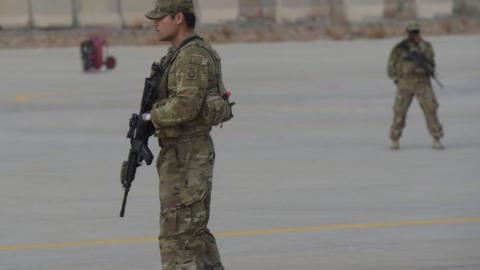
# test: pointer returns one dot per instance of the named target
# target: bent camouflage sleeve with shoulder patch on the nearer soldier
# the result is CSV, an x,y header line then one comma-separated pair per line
x,y
186,102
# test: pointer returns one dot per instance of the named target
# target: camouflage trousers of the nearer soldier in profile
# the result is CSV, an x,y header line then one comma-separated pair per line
x,y
185,173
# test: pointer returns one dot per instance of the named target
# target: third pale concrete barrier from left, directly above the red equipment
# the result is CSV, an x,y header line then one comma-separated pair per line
x,y
99,13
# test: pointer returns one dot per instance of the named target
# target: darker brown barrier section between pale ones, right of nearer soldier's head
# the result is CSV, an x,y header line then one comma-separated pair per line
x,y
257,10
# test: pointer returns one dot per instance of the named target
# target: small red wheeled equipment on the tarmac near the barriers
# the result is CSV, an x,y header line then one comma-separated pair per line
x,y
92,52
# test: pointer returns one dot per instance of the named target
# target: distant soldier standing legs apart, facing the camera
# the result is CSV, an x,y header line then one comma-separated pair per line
x,y
413,81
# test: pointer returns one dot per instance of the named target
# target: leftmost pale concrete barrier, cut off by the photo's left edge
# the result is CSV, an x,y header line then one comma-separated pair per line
x,y
14,13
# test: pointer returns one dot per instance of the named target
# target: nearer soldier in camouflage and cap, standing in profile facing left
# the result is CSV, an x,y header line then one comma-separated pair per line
x,y
185,163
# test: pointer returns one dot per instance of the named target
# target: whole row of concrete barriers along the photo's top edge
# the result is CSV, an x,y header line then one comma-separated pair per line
x,y
130,13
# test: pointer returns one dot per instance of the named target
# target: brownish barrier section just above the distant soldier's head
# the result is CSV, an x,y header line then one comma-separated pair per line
x,y
402,10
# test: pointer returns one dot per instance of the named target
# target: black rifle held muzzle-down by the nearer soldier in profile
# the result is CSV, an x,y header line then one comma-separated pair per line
x,y
141,129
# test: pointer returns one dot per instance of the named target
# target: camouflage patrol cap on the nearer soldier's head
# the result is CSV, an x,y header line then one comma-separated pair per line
x,y
170,7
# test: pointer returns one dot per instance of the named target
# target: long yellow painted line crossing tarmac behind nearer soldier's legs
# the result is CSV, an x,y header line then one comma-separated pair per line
x,y
250,233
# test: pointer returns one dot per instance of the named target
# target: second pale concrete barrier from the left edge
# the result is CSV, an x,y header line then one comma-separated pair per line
x,y
52,13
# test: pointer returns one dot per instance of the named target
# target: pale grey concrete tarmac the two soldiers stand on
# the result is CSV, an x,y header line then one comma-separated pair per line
x,y
303,180
